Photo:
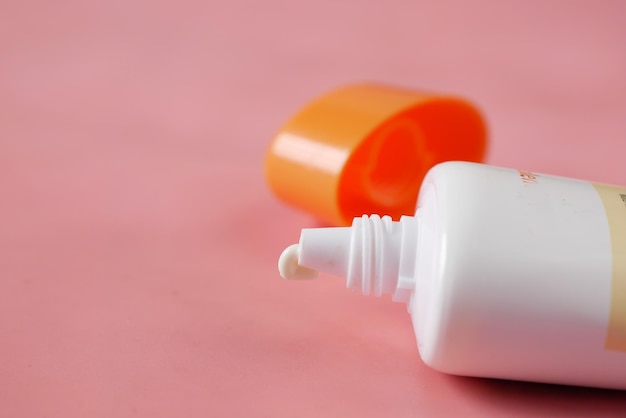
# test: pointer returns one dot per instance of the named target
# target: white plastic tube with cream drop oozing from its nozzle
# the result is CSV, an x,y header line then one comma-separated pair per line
x,y
506,274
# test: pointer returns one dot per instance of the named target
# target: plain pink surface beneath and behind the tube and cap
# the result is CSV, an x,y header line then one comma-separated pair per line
x,y
138,241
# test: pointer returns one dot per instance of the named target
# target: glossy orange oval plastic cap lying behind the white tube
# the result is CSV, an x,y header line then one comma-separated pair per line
x,y
365,149
